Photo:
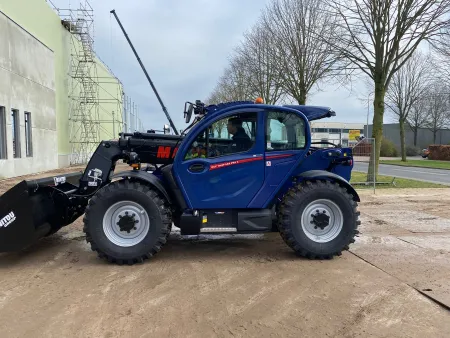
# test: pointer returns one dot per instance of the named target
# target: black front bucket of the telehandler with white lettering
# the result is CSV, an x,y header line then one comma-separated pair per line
x,y
33,209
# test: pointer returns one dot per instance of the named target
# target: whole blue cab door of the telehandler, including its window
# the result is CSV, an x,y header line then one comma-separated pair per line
x,y
211,174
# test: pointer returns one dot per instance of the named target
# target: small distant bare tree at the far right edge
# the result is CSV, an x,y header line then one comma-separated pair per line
x,y
437,108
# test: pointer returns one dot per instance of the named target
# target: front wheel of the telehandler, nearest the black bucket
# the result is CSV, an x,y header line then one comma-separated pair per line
x,y
127,201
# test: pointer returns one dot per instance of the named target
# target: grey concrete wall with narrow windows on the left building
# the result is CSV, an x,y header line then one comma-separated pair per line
x,y
27,84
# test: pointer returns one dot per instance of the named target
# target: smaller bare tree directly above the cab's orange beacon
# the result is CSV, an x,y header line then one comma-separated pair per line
x,y
255,54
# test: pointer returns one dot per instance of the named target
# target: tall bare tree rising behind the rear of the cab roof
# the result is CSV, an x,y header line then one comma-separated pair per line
x,y
299,58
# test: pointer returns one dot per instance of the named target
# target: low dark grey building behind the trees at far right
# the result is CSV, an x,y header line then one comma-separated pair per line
x,y
424,136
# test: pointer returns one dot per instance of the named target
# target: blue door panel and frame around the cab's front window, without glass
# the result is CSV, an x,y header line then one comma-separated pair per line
x,y
227,181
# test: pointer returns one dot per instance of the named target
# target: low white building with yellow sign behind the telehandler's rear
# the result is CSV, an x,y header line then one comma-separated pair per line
x,y
337,132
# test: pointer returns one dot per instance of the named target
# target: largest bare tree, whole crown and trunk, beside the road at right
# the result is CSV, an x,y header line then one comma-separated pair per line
x,y
380,36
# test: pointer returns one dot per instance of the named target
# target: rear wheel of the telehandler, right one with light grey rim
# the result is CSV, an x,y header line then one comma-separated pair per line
x,y
310,236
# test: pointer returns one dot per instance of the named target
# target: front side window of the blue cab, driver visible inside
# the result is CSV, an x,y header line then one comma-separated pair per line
x,y
231,135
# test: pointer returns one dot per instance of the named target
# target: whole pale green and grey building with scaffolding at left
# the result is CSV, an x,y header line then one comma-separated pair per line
x,y
57,98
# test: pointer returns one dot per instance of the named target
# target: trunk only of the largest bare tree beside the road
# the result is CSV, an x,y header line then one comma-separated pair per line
x,y
377,130
